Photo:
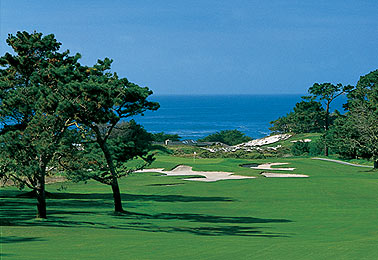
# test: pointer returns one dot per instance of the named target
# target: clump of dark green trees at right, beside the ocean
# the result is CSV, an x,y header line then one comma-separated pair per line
x,y
353,134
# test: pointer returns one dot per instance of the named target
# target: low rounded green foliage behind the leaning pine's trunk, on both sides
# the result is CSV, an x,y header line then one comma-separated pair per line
x,y
83,160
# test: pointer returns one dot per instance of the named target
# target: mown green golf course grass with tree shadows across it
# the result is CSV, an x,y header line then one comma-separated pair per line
x,y
331,215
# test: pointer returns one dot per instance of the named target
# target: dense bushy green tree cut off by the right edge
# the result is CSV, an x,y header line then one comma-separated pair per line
x,y
356,134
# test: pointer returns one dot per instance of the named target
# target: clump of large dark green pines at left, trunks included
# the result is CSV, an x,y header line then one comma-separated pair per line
x,y
50,102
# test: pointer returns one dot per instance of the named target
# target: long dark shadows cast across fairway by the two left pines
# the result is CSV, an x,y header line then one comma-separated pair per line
x,y
21,212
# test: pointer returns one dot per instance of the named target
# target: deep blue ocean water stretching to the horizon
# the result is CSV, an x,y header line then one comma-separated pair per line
x,y
194,117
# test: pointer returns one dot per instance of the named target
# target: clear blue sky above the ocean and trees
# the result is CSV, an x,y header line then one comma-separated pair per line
x,y
211,46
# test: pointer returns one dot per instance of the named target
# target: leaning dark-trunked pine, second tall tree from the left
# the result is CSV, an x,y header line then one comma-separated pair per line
x,y
98,102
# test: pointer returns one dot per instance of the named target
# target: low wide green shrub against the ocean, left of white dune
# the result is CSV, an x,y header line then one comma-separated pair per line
x,y
229,137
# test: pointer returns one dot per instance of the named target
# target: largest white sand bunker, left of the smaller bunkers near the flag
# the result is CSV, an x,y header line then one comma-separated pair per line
x,y
183,170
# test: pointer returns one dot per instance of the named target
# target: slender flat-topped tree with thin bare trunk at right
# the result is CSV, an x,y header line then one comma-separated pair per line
x,y
327,93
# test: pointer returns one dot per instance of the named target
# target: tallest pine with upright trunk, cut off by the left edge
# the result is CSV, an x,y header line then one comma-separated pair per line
x,y
33,117
